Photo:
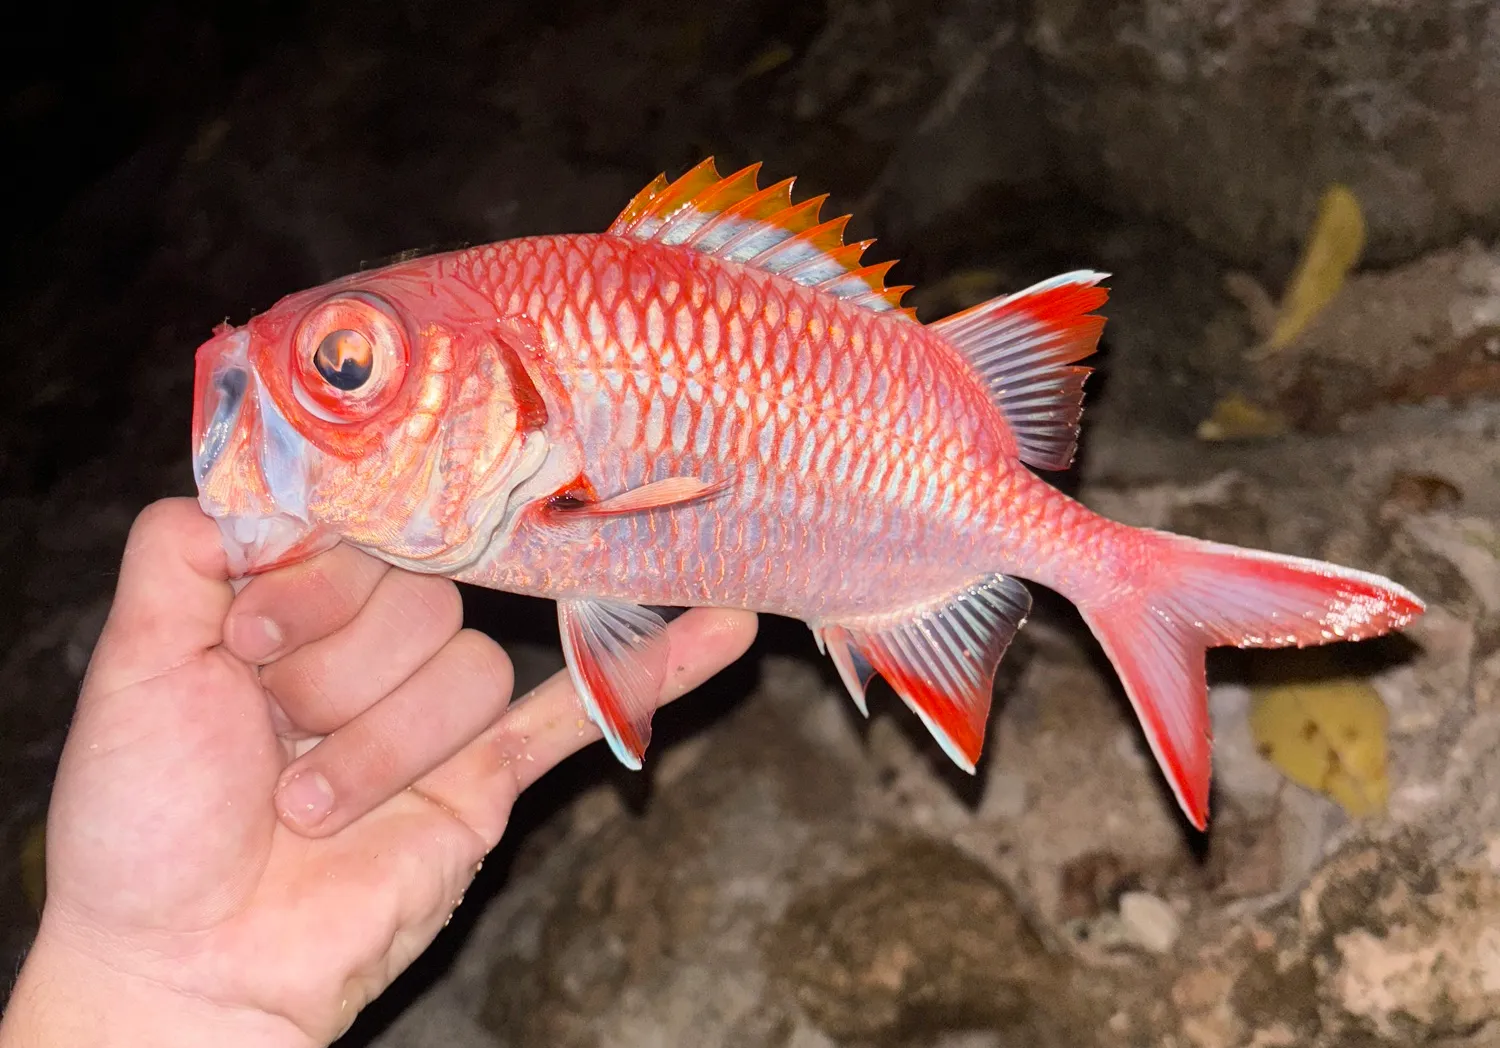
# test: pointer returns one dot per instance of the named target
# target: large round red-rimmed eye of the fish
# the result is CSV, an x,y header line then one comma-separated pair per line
x,y
350,358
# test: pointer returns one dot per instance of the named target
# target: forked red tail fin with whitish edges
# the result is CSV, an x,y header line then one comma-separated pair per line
x,y
1172,597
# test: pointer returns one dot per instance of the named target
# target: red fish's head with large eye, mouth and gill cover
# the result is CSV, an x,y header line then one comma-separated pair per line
x,y
389,410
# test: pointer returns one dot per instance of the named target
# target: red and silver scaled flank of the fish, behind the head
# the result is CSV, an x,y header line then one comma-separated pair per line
x,y
868,469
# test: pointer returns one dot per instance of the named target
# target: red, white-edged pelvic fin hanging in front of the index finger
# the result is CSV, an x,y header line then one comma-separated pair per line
x,y
617,659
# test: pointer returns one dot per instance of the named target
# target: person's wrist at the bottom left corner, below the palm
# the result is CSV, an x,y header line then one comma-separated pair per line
x,y
67,998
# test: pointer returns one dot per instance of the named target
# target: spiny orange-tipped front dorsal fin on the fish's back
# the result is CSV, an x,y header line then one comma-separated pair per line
x,y
733,218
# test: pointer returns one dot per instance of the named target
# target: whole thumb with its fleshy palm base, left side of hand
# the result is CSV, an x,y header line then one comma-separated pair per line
x,y
163,795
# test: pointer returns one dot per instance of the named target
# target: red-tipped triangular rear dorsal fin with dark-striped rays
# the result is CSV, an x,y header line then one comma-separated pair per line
x,y
1027,347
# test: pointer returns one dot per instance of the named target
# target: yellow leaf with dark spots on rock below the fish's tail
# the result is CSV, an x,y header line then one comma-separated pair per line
x,y
1330,737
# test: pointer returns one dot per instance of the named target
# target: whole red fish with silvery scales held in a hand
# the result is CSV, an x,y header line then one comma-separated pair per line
x,y
716,404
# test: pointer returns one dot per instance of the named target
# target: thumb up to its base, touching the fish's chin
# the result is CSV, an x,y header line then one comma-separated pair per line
x,y
170,602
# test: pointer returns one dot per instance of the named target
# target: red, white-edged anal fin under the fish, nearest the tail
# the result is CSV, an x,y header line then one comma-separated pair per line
x,y
940,660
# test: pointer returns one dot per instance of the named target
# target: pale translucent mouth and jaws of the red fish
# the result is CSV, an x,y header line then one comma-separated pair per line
x,y
248,464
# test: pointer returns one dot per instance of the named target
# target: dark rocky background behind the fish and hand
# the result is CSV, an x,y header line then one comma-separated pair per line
x,y
823,882
